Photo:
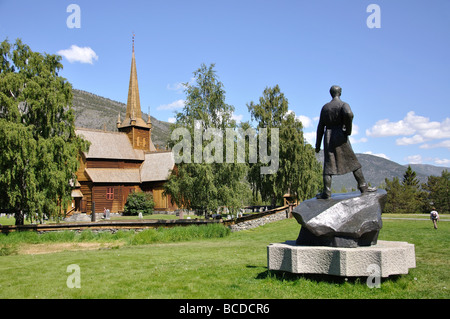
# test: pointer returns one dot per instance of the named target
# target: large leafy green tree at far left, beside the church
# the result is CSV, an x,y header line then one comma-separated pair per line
x,y
37,134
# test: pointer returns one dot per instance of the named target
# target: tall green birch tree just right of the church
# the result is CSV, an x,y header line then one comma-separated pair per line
x,y
201,184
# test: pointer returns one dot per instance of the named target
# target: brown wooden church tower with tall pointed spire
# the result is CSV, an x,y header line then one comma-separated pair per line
x,y
138,131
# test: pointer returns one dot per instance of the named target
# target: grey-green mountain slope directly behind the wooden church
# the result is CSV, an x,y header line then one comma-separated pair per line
x,y
97,112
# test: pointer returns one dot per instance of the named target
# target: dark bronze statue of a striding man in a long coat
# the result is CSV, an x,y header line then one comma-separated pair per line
x,y
335,125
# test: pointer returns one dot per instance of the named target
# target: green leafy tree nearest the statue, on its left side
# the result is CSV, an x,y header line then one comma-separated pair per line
x,y
299,172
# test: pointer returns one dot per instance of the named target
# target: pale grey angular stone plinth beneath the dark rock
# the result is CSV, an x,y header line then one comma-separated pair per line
x,y
392,258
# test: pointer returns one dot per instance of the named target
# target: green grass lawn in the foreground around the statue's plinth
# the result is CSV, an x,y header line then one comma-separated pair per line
x,y
230,267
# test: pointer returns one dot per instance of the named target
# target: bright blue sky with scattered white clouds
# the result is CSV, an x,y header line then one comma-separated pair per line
x,y
391,59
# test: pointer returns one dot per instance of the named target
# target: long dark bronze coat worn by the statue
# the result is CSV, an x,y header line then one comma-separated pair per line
x,y
335,125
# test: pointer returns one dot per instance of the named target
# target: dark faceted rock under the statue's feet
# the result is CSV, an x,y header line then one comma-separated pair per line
x,y
344,220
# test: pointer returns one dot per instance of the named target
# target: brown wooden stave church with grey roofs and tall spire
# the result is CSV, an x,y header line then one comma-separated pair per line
x,y
122,162
